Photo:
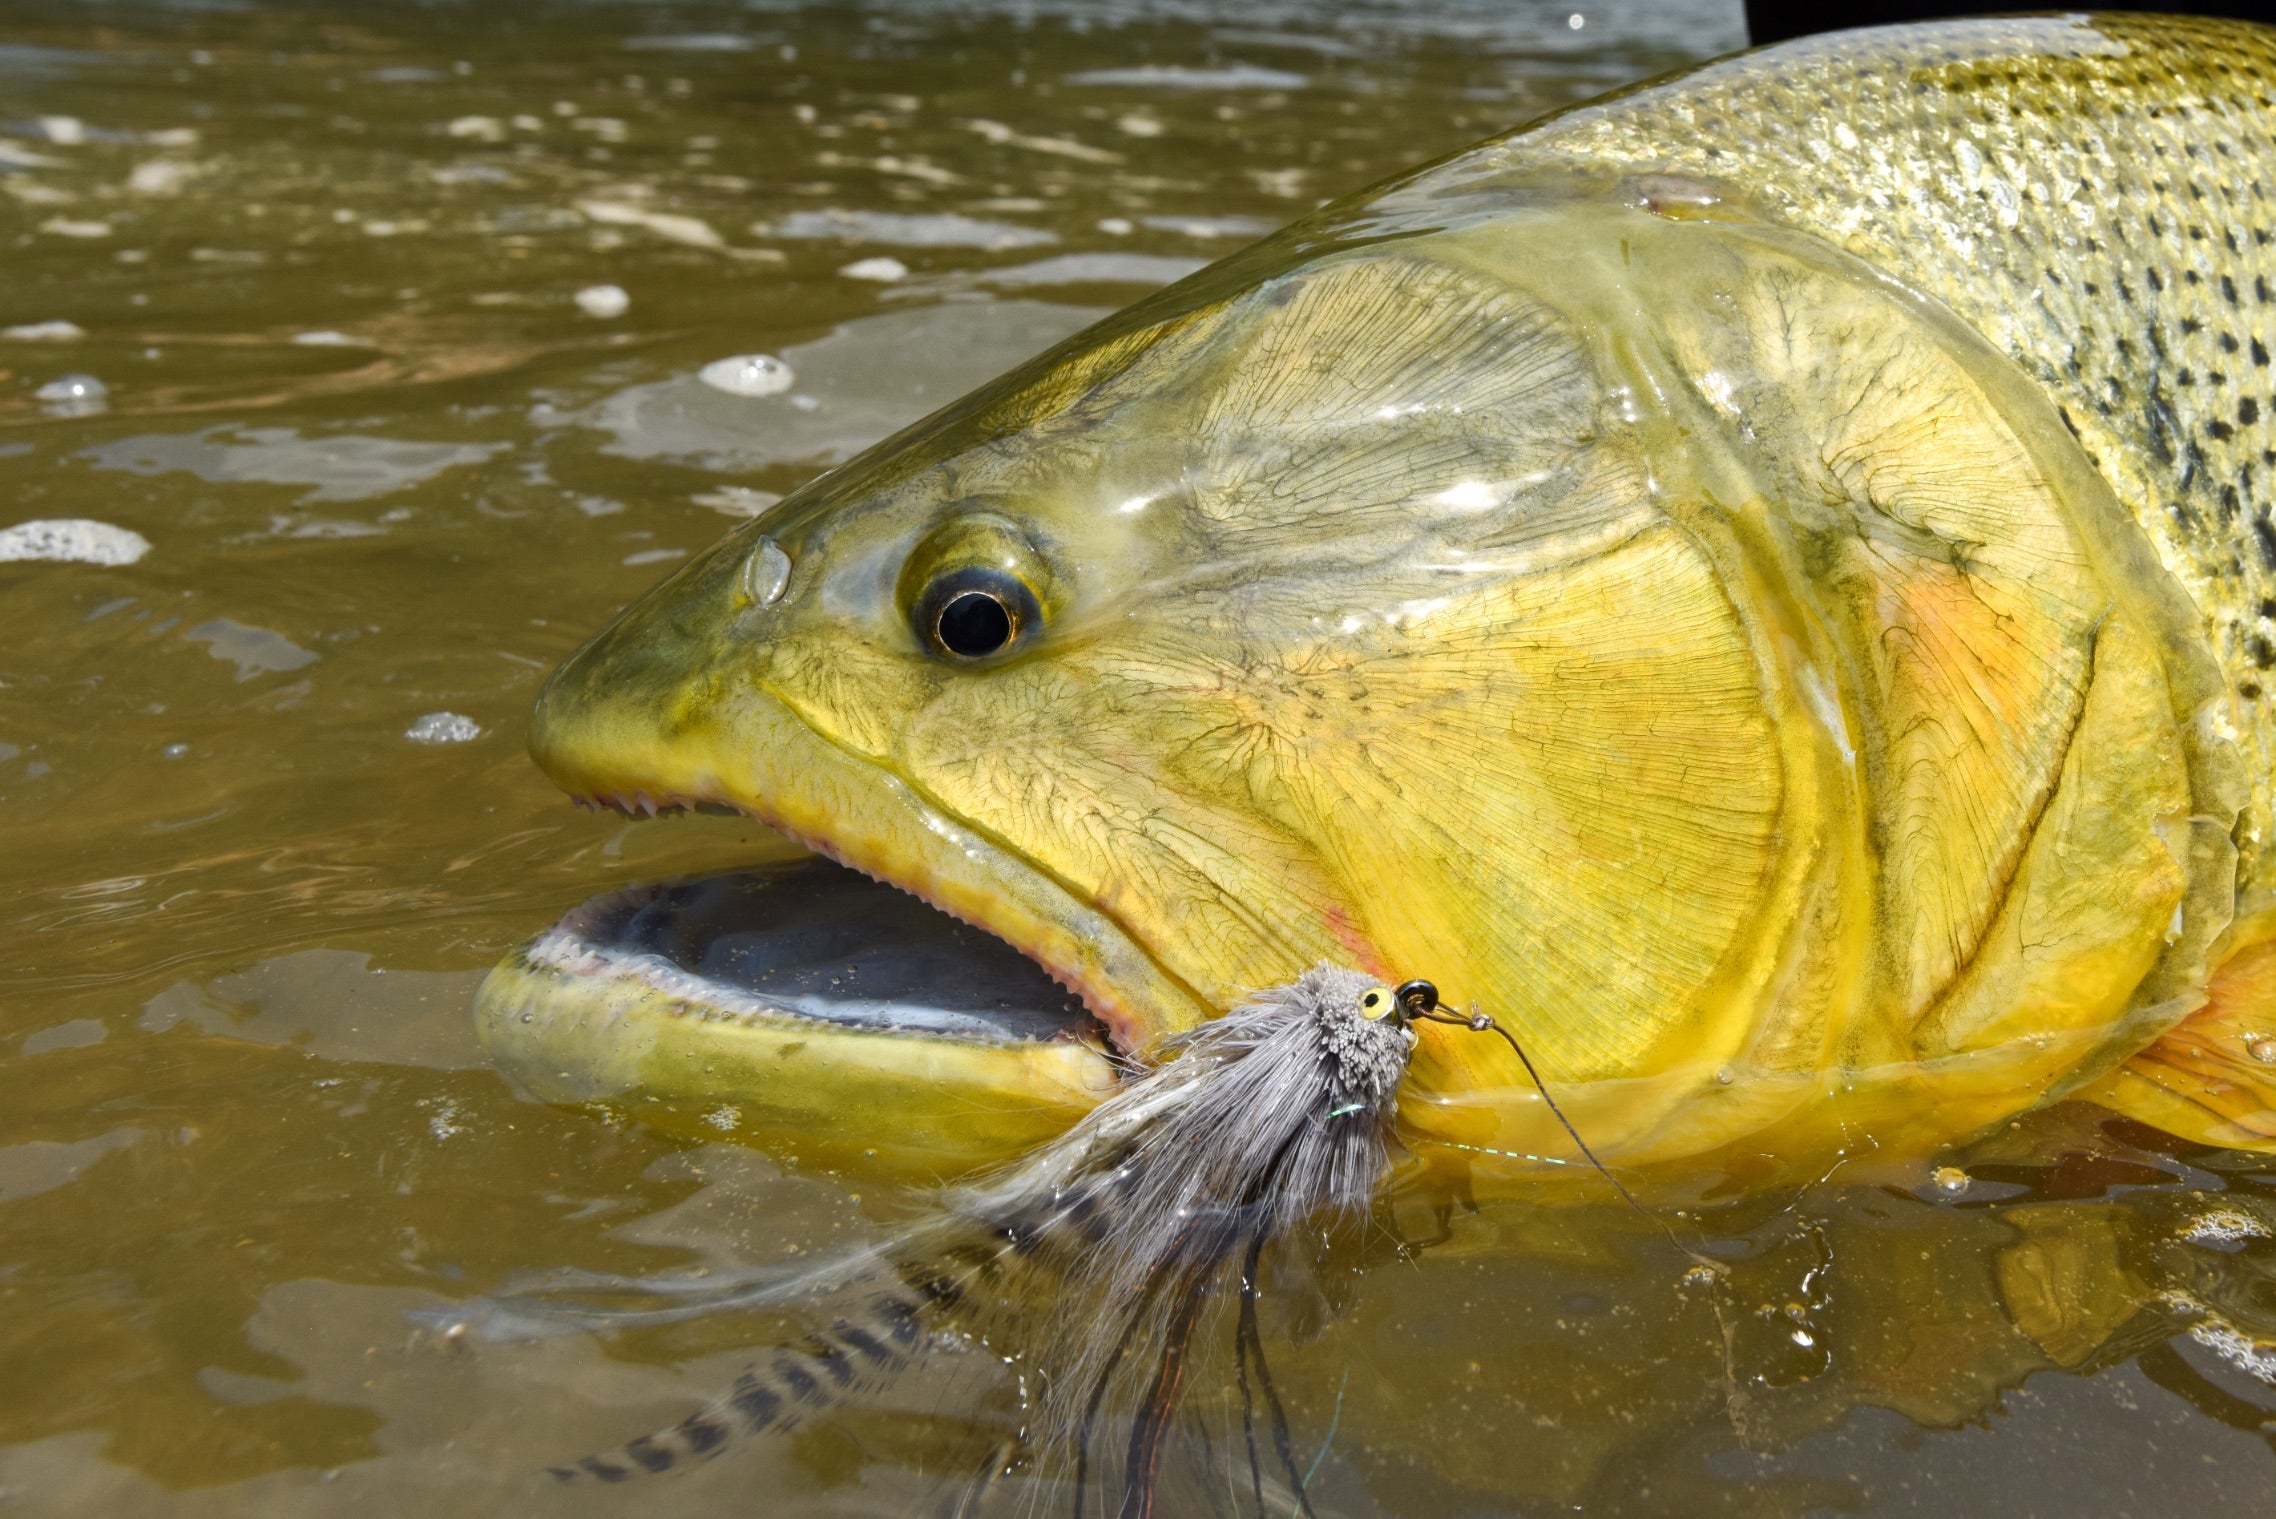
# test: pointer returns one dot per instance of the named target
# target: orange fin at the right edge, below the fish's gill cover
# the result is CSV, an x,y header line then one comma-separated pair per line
x,y
2213,1076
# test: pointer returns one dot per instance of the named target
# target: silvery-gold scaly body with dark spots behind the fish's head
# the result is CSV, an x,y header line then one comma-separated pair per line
x,y
2097,197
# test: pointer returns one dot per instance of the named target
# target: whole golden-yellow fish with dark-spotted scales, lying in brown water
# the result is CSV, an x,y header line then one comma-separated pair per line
x,y
1765,584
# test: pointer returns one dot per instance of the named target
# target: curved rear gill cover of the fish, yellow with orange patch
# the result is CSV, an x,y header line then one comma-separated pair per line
x,y
2013,819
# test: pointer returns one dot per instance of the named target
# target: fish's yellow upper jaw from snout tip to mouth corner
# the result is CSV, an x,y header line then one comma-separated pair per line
x,y
761,759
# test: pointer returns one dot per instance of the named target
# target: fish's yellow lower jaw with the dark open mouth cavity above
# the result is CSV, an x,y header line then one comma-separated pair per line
x,y
798,1003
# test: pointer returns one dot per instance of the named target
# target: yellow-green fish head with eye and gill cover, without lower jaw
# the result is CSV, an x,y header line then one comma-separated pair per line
x,y
1663,632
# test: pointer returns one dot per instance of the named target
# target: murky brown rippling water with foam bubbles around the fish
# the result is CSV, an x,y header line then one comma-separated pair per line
x,y
327,268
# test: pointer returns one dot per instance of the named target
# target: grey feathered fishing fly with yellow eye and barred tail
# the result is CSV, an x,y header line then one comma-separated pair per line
x,y
1110,1251
